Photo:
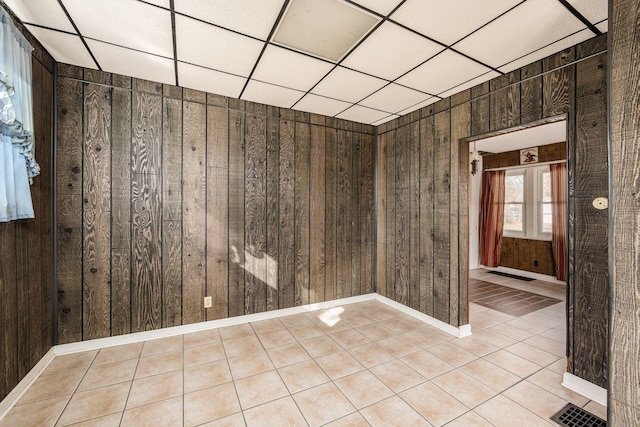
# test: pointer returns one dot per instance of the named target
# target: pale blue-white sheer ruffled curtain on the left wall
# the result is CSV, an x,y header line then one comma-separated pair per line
x,y
16,123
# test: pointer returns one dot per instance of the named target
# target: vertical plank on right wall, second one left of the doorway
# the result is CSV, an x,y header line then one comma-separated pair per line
x,y
442,212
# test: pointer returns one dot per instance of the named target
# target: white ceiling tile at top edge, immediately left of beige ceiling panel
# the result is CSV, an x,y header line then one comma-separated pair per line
x,y
254,18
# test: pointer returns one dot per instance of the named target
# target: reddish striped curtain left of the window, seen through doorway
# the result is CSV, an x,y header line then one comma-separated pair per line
x,y
491,217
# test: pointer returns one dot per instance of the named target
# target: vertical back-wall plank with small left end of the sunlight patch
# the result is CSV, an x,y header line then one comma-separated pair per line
x,y
236,212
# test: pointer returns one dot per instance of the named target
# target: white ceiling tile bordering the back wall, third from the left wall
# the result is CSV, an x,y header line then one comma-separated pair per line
x,y
211,81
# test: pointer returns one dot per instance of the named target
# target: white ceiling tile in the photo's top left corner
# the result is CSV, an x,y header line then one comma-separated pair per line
x,y
47,13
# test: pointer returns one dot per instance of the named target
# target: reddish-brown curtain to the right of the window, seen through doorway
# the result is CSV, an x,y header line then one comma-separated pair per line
x,y
559,222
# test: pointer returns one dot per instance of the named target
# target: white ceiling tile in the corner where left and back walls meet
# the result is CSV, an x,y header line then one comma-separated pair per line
x,y
65,48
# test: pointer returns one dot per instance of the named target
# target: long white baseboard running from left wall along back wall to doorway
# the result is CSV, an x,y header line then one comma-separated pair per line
x,y
12,398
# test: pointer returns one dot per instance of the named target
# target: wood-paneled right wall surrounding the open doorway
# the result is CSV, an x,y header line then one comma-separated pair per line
x,y
422,180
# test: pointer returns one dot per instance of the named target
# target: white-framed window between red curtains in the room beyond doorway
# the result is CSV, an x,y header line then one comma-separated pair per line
x,y
527,203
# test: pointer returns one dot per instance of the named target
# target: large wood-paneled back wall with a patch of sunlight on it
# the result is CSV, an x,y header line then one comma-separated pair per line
x,y
167,195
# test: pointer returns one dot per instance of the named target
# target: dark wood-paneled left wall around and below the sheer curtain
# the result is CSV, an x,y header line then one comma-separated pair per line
x,y
26,247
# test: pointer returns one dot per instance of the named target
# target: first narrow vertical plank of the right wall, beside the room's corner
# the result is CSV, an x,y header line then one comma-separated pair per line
x,y
381,214
